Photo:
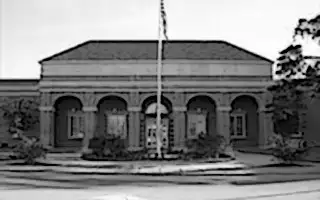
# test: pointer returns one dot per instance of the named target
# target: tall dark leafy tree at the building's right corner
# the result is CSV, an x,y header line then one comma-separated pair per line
x,y
298,74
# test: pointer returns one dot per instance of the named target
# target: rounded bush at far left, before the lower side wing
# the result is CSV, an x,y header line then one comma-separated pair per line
x,y
29,150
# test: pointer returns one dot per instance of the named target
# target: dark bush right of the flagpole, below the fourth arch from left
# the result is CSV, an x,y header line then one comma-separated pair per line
x,y
206,146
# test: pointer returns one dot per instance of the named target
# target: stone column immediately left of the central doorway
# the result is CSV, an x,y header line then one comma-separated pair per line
x,y
134,128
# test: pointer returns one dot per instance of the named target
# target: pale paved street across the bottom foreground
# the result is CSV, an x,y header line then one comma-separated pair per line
x,y
76,187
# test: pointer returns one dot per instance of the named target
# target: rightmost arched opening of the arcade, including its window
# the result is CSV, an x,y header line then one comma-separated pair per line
x,y
244,121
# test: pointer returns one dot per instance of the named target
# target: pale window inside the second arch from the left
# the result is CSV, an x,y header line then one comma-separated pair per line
x,y
116,124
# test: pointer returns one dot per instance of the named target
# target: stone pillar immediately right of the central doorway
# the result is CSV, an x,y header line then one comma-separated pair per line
x,y
179,114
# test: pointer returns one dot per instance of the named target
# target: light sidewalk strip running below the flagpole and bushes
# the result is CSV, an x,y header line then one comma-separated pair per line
x,y
85,167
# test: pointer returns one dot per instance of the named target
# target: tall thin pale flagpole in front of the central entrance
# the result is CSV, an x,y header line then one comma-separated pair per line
x,y
159,71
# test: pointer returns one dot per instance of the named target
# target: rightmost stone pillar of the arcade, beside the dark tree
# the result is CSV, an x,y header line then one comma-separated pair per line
x,y
265,127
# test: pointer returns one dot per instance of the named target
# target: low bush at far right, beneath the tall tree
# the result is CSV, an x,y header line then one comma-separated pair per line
x,y
283,150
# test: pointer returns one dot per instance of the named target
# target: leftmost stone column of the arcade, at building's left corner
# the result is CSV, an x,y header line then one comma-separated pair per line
x,y
46,125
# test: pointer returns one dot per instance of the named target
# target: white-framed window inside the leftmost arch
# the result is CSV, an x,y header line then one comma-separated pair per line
x,y
75,125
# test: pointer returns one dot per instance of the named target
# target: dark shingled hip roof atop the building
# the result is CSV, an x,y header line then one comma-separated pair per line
x,y
147,50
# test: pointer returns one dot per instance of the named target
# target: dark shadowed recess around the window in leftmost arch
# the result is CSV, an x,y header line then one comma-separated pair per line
x,y
63,105
